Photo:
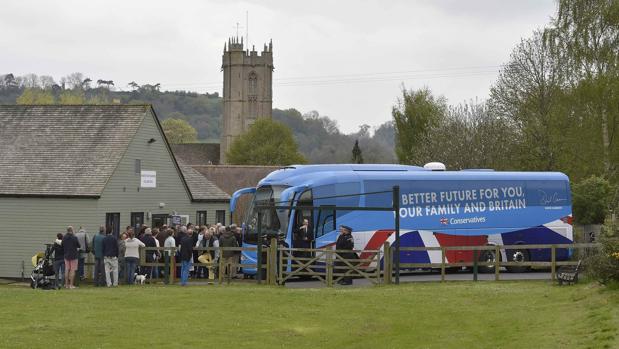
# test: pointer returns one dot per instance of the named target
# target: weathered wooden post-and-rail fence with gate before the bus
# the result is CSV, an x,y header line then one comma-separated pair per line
x,y
280,265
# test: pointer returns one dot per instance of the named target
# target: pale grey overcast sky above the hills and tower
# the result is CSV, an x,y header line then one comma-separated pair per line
x,y
345,59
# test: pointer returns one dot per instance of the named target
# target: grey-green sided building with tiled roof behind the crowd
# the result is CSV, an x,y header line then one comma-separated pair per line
x,y
88,165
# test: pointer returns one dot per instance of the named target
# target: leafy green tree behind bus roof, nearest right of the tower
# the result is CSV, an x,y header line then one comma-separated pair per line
x,y
415,115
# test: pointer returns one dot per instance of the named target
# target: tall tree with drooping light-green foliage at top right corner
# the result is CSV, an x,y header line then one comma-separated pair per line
x,y
588,30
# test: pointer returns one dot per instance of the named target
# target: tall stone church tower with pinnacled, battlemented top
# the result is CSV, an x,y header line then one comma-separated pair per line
x,y
247,91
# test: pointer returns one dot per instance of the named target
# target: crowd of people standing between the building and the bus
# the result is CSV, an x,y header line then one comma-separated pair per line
x,y
116,259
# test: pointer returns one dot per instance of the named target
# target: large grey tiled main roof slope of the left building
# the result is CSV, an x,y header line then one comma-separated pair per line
x,y
64,150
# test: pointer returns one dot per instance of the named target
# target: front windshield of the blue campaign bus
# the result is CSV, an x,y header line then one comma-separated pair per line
x,y
273,221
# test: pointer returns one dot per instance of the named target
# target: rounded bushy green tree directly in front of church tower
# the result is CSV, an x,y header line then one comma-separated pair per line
x,y
267,142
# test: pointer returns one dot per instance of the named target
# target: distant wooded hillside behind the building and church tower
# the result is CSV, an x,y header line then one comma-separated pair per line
x,y
318,137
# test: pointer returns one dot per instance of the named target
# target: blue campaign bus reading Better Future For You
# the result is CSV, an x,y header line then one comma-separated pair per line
x,y
437,208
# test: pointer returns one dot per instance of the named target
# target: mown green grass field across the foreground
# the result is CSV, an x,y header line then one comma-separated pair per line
x,y
519,315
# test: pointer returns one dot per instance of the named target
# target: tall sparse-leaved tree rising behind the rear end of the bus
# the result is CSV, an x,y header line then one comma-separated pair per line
x,y
529,92
